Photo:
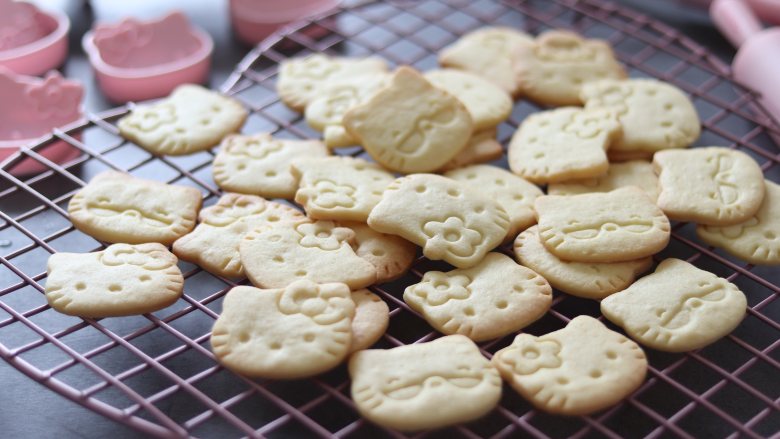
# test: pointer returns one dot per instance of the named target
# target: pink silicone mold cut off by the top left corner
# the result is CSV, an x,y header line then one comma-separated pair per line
x,y
32,42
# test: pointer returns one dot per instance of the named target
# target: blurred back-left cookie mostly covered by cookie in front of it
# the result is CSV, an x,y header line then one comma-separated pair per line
x,y
301,80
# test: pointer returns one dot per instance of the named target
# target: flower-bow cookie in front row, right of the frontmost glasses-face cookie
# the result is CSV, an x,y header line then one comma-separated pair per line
x,y
577,370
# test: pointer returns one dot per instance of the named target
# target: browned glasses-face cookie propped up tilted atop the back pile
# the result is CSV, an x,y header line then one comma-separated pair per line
x,y
411,126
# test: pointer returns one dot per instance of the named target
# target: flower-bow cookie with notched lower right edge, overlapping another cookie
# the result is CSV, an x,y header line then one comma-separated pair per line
x,y
562,144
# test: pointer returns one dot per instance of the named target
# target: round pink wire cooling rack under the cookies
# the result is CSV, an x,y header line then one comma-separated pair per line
x,y
156,372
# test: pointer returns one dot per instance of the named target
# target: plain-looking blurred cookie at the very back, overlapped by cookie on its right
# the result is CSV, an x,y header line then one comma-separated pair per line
x,y
488,52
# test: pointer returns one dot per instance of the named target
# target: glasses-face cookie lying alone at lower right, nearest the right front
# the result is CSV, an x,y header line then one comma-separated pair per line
x,y
678,308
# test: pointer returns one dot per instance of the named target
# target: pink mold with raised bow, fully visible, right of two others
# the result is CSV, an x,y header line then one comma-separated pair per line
x,y
137,60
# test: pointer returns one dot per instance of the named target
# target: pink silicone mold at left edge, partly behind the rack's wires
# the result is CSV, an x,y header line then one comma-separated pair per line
x,y
32,108
